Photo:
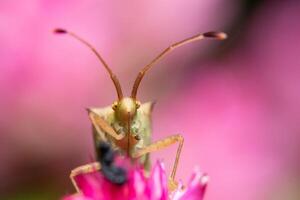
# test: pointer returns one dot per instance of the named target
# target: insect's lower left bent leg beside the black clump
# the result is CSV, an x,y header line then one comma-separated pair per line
x,y
84,169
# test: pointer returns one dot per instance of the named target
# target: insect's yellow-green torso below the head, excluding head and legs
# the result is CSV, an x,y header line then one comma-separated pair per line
x,y
140,131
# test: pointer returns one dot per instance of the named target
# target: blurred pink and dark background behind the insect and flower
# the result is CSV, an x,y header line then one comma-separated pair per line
x,y
236,102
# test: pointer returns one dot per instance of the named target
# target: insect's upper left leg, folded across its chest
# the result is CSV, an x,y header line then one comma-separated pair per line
x,y
100,124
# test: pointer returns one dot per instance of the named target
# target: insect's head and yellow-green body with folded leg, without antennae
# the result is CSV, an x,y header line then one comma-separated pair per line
x,y
126,130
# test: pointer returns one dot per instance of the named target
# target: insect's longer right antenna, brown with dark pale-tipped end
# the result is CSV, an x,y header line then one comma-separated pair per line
x,y
214,35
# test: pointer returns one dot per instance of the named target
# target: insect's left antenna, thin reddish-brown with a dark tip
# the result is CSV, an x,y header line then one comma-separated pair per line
x,y
112,75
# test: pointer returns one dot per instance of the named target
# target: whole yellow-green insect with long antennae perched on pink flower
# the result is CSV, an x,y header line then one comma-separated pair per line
x,y
126,124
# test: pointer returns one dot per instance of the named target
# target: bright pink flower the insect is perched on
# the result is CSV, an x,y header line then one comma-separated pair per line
x,y
94,186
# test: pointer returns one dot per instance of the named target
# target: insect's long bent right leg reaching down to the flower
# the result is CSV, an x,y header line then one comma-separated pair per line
x,y
163,144
